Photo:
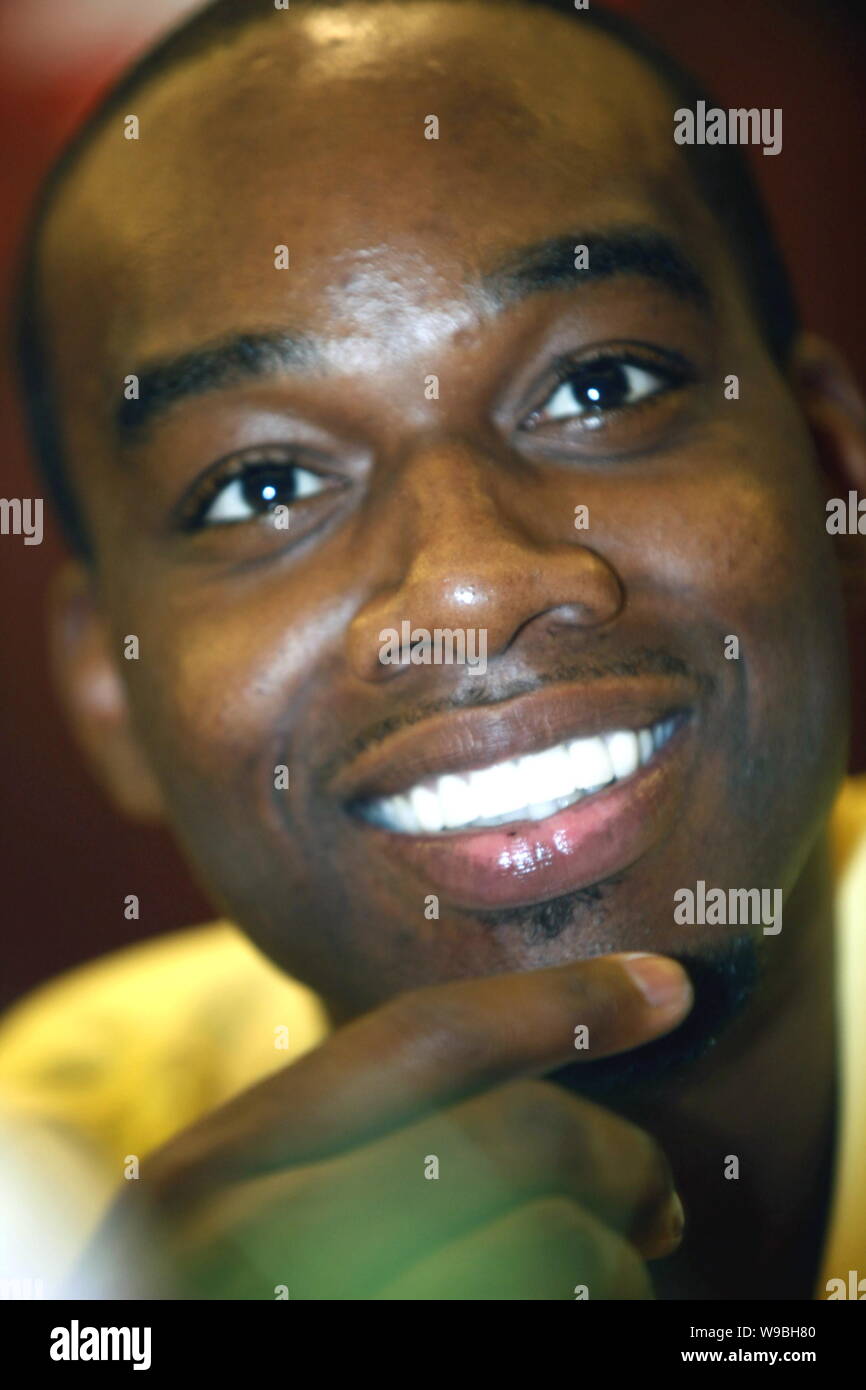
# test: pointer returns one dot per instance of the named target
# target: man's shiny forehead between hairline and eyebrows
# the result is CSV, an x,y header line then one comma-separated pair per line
x,y
313,134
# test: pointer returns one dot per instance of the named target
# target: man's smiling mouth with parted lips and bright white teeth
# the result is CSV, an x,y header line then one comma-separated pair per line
x,y
512,804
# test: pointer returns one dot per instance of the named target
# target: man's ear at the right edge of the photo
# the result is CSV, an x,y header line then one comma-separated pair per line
x,y
836,414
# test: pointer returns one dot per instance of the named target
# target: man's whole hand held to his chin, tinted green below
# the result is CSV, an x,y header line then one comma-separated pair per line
x,y
322,1181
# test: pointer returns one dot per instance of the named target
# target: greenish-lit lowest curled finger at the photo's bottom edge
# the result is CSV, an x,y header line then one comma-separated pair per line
x,y
547,1250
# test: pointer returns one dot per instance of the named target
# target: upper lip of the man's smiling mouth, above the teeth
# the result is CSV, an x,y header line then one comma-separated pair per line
x,y
484,735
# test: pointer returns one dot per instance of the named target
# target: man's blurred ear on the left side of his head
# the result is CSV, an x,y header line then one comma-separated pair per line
x,y
95,698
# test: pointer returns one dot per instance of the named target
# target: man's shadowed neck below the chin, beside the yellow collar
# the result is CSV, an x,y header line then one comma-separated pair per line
x,y
762,1106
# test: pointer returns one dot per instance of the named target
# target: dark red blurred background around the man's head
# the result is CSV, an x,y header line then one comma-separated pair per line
x,y
67,860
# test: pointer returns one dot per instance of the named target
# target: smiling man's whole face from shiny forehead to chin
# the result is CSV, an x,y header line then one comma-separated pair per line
x,y
439,411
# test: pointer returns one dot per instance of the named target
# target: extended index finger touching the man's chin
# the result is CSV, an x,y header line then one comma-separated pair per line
x,y
426,1050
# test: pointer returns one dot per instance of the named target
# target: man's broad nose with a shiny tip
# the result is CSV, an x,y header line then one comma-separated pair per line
x,y
472,548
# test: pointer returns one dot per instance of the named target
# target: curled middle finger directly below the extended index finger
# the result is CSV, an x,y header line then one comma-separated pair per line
x,y
340,1228
